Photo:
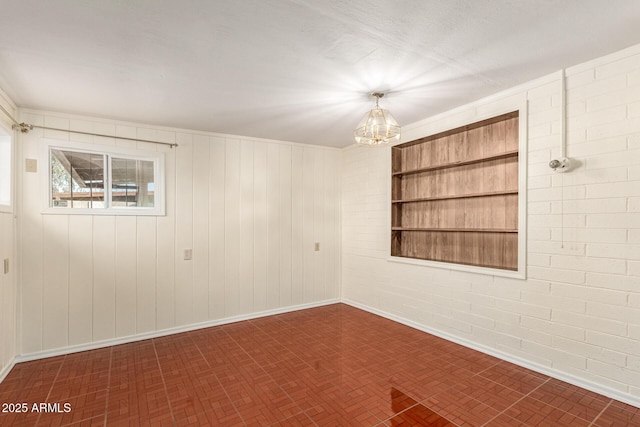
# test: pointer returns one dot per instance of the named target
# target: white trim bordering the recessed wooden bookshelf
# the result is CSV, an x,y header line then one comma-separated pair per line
x,y
487,113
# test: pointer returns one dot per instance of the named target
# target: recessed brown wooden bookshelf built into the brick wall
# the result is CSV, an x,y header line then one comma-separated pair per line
x,y
455,196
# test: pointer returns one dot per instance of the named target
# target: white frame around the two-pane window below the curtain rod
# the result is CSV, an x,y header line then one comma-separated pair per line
x,y
111,151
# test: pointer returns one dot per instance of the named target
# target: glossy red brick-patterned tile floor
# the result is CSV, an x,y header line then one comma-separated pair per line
x,y
328,366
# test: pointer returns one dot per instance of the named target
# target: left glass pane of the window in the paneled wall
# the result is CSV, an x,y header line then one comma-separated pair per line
x,y
77,179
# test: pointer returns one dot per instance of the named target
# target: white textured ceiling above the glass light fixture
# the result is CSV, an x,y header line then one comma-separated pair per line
x,y
294,70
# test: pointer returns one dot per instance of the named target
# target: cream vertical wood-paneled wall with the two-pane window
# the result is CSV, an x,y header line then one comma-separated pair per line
x,y
251,210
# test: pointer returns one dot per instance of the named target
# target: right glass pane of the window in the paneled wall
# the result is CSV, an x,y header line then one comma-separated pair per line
x,y
133,183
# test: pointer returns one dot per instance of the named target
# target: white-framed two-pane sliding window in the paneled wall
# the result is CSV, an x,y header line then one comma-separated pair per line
x,y
106,180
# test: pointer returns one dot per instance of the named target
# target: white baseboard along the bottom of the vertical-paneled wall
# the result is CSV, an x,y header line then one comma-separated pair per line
x,y
165,332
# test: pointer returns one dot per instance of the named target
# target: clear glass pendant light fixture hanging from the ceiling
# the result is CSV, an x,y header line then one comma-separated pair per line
x,y
377,127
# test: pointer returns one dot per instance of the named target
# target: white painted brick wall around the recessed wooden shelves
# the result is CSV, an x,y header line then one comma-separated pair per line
x,y
578,311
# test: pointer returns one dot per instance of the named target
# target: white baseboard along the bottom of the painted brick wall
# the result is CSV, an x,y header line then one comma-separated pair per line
x,y
563,376
